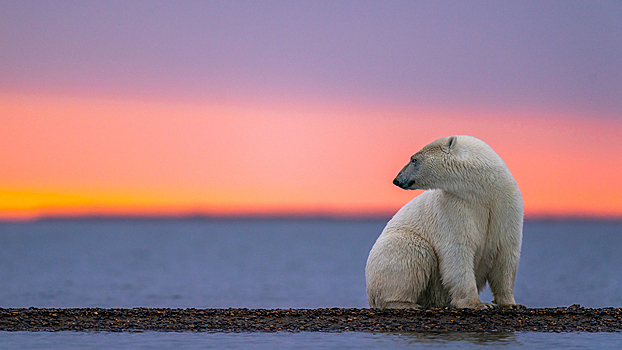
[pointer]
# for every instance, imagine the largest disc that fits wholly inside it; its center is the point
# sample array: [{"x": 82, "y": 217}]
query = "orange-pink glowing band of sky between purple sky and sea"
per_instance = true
[{"x": 80, "y": 156}]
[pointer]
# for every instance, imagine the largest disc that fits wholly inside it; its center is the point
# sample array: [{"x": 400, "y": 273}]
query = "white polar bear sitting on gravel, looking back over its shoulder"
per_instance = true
[{"x": 441, "y": 248}]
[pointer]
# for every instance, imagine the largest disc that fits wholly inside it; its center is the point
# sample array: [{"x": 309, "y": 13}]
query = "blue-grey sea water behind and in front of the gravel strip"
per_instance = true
[{"x": 274, "y": 263}]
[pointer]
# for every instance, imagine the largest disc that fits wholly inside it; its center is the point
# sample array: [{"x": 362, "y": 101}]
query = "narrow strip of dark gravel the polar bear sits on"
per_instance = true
[{"x": 562, "y": 319}]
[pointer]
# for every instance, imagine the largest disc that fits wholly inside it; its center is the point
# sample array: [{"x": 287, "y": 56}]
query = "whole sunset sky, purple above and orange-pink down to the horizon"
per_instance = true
[{"x": 301, "y": 107}]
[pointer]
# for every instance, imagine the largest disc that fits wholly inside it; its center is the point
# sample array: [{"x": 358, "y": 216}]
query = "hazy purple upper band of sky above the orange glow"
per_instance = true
[{"x": 563, "y": 56}]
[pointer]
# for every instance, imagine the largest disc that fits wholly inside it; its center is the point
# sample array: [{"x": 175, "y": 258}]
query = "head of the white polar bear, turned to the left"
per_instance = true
[{"x": 455, "y": 163}]
